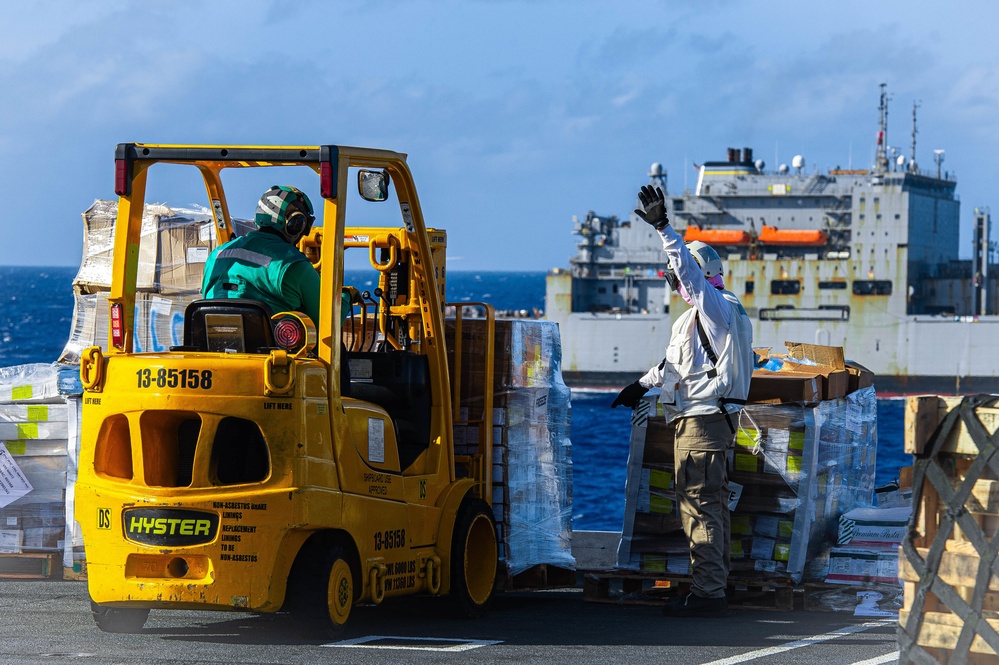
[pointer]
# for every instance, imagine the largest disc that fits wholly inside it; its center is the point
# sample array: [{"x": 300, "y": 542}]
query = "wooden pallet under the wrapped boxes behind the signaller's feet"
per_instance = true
[{"x": 631, "y": 588}]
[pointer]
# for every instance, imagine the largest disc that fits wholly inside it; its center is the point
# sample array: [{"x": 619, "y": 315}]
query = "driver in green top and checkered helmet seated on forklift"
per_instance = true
[{"x": 265, "y": 264}]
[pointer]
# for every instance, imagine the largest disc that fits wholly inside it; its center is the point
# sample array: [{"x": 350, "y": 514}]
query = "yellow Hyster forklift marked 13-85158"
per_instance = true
[{"x": 272, "y": 461}]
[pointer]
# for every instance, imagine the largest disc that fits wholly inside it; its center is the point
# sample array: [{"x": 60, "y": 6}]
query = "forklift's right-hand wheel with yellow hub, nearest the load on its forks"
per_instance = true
[{"x": 474, "y": 559}]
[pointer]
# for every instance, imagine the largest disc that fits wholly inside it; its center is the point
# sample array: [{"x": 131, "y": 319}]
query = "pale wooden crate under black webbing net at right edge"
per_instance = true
[{"x": 947, "y": 563}]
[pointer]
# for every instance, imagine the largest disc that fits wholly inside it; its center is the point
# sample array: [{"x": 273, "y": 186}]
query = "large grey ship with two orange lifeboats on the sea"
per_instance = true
[{"x": 866, "y": 259}]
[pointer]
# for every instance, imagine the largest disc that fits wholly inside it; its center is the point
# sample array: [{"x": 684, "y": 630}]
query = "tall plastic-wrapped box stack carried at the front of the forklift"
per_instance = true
[{"x": 532, "y": 453}]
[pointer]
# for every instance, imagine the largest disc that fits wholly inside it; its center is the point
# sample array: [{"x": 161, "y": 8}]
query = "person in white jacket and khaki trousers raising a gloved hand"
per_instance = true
[{"x": 704, "y": 380}]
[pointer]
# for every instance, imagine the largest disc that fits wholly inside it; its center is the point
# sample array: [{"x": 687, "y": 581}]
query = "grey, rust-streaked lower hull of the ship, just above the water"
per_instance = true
[{"x": 909, "y": 355}]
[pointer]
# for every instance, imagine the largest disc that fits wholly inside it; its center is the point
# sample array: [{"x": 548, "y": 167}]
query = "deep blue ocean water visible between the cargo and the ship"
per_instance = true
[{"x": 36, "y": 312}]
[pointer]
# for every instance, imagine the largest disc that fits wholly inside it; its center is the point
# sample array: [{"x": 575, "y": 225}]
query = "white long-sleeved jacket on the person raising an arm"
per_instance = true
[{"x": 690, "y": 383}]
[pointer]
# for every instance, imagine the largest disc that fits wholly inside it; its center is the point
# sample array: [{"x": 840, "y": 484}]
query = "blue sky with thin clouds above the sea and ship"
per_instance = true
[{"x": 515, "y": 115}]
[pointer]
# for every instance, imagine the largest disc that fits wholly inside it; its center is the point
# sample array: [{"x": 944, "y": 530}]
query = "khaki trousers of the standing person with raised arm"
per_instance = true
[{"x": 701, "y": 451}]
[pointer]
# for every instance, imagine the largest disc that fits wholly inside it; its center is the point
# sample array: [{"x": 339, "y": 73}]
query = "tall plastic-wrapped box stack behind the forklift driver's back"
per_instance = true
[{"x": 174, "y": 246}]
